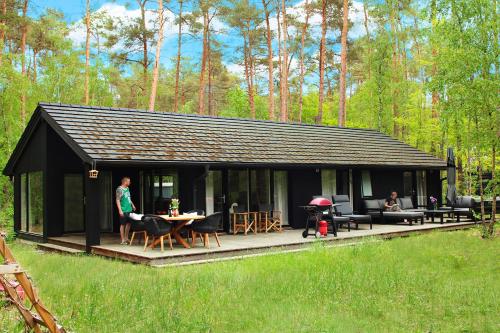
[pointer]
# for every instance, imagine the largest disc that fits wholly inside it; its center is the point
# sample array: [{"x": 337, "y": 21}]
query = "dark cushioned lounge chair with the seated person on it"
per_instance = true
[{"x": 375, "y": 208}]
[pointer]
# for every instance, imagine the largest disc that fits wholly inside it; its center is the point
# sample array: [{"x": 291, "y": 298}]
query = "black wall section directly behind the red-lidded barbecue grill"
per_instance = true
[{"x": 302, "y": 185}]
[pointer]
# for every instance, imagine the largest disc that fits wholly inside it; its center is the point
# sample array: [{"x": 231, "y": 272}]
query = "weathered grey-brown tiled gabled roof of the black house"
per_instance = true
[{"x": 113, "y": 135}]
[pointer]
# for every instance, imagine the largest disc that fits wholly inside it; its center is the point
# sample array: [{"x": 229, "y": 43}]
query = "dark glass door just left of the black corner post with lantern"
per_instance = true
[{"x": 73, "y": 203}]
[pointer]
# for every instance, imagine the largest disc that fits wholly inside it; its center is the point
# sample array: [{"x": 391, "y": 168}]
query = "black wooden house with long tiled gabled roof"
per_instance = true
[{"x": 207, "y": 162}]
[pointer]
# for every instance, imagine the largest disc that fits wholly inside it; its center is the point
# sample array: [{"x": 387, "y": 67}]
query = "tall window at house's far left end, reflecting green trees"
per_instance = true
[{"x": 32, "y": 202}]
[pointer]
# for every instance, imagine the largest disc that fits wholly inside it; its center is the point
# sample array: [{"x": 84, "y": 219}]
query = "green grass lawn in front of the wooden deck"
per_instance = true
[{"x": 439, "y": 282}]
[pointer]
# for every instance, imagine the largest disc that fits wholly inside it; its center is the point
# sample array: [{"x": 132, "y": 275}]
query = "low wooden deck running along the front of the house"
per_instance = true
[{"x": 240, "y": 246}]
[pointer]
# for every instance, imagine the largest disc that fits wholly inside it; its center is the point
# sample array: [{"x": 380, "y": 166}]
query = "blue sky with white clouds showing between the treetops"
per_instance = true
[{"x": 74, "y": 10}]
